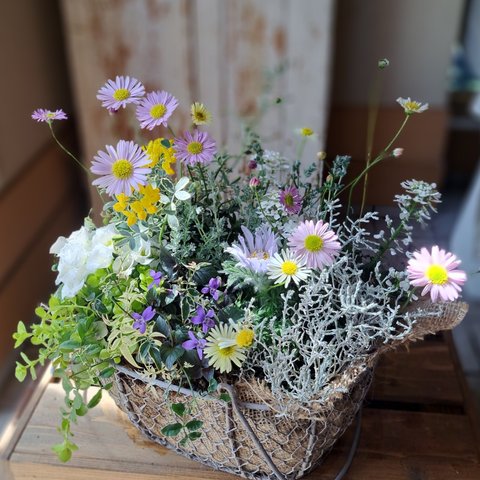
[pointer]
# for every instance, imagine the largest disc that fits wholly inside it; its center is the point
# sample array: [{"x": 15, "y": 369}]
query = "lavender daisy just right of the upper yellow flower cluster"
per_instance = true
[{"x": 197, "y": 148}]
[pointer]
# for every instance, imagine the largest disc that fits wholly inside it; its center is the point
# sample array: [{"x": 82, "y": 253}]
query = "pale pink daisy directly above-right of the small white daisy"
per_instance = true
[{"x": 316, "y": 243}]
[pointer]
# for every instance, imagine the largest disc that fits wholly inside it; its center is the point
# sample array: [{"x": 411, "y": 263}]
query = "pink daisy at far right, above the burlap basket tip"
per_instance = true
[{"x": 437, "y": 272}]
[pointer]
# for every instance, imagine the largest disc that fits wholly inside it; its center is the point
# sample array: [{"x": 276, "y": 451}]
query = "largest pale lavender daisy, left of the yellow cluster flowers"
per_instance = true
[{"x": 122, "y": 168}]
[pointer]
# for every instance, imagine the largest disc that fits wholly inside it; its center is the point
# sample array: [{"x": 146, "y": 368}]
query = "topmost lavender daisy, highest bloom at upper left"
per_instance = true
[{"x": 116, "y": 94}]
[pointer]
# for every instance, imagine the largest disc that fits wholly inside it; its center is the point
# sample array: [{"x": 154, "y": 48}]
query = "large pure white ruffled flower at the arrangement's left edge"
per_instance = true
[{"x": 82, "y": 253}]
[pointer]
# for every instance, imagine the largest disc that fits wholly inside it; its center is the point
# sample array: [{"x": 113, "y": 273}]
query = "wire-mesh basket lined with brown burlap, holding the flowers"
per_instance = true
[{"x": 251, "y": 435}]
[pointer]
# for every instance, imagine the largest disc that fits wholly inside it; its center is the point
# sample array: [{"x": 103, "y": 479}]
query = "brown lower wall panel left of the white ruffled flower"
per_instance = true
[{"x": 43, "y": 202}]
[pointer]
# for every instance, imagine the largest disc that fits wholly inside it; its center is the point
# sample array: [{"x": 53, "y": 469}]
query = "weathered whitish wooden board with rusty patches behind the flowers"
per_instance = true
[{"x": 214, "y": 51}]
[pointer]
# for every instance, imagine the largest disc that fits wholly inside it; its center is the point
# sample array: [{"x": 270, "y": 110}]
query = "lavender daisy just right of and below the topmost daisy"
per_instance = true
[{"x": 155, "y": 109}]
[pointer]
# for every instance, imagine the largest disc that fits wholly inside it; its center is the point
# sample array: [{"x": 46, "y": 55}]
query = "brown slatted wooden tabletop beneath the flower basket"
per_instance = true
[{"x": 418, "y": 424}]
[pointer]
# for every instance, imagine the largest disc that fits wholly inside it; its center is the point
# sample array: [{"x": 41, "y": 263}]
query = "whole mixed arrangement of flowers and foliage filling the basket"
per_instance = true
[{"x": 205, "y": 274}]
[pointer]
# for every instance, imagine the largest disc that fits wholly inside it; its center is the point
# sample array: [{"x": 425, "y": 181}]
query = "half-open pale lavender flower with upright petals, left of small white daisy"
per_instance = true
[{"x": 254, "y": 252}]
